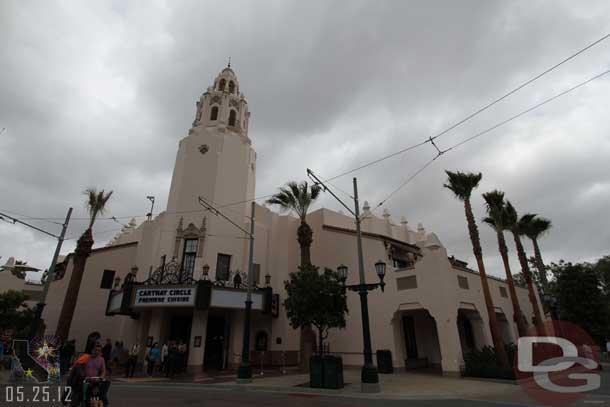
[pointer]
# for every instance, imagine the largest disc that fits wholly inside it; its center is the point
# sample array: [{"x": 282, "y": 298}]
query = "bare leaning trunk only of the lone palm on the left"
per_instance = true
[{"x": 82, "y": 252}]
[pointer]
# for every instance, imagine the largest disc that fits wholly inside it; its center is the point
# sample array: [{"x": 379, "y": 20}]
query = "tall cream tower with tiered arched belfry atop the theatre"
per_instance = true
[{"x": 217, "y": 162}]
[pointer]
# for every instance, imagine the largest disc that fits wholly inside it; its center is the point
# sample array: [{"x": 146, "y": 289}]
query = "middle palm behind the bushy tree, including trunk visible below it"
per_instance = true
[{"x": 298, "y": 198}]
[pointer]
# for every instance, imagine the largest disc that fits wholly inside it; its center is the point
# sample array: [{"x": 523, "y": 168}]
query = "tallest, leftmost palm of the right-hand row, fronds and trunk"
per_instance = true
[{"x": 462, "y": 184}]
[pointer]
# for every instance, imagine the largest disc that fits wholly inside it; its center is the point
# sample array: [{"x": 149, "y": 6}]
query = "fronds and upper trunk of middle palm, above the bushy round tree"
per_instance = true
[{"x": 298, "y": 198}]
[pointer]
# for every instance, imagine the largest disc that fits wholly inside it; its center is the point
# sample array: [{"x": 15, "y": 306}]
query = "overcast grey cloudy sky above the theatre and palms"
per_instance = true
[{"x": 100, "y": 93}]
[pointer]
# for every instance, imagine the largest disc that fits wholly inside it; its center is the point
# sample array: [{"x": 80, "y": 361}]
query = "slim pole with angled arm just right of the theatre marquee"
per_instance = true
[{"x": 244, "y": 372}]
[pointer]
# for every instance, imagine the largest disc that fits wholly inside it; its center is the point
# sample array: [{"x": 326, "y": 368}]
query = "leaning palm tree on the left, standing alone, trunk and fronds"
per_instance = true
[{"x": 96, "y": 204}]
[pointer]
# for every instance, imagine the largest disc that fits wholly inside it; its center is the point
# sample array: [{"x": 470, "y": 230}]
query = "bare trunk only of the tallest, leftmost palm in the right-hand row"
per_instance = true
[{"x": 478, "y": 253}]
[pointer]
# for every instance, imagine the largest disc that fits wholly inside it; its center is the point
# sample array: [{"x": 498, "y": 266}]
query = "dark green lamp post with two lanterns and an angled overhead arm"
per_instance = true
[{"x": 369, "y": 375}]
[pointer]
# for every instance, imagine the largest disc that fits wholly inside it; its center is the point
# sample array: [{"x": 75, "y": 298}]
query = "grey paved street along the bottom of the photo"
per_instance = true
[{"x": 399, "y": 390}]
